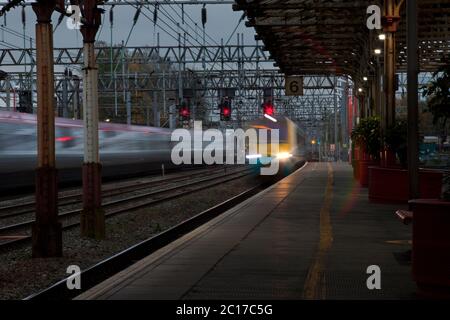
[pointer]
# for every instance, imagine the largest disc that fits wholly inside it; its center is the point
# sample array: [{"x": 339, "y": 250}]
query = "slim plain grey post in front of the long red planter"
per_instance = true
[{"x": 413, "y": 71}]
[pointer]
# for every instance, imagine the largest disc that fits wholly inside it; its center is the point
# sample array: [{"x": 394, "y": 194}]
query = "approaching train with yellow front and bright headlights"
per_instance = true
[{"x": 291, "y": 149}]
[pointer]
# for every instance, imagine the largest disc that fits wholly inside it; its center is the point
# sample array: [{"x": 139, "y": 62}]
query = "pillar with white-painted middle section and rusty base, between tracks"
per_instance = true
[{"x": 92, "y": 216}]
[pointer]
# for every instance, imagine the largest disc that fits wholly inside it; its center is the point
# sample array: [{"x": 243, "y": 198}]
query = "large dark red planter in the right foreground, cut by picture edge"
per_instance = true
[{"x": 431, "y": 247}]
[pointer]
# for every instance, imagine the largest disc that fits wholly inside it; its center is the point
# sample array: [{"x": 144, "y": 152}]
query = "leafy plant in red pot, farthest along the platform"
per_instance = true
[{"x": 366, "y": 136}]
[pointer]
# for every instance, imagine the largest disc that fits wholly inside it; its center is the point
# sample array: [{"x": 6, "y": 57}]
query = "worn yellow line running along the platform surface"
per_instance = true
[{"x": 314, "y": 287}]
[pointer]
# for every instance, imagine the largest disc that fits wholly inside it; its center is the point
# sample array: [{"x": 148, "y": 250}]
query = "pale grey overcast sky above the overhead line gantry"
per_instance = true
[{"x": 221, "y": 23}]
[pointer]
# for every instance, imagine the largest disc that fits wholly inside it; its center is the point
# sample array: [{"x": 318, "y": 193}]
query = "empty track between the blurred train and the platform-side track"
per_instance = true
[{"x": 18, "y": 233}]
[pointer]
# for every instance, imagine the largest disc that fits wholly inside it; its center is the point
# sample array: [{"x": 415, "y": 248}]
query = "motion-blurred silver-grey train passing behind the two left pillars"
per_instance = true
[{"x": 124, "y": 149}]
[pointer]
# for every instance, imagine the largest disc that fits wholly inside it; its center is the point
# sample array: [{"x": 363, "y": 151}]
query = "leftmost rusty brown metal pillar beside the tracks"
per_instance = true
[{"x": 46, "y": 230}]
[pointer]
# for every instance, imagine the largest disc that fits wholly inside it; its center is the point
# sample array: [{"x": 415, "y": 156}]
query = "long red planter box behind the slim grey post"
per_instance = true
[{"x": 391, "y": 185}]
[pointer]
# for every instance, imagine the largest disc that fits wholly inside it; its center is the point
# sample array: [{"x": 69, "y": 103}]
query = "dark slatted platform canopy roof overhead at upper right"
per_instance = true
[{"x": 331, "y": 36}]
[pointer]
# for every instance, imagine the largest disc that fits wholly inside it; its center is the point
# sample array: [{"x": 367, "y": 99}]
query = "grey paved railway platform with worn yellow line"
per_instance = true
[{"x": 313, "y": 235}]
